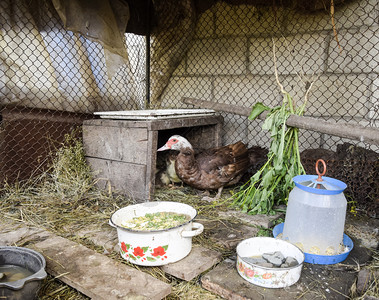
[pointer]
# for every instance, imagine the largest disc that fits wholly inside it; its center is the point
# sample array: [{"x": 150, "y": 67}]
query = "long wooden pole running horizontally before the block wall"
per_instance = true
[{"x": 356, "y": 132}]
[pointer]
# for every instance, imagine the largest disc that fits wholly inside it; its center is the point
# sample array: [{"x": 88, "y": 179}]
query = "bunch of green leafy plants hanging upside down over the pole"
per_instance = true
[{"x": 272, "y": 183}]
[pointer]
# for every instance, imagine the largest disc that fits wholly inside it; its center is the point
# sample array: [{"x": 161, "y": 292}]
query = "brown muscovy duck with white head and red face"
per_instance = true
[{"x": 211, "y": 169}]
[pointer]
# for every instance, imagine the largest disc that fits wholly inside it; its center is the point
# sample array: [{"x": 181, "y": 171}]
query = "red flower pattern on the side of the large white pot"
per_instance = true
[{"x": 143, "y": 254}]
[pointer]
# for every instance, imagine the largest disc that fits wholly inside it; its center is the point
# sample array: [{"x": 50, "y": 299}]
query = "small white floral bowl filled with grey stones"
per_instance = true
[{"x": 269, "y": 262}]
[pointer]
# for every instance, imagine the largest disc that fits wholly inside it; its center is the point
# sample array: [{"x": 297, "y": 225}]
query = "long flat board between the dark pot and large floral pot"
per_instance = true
[{"x": 96, "y": 275}]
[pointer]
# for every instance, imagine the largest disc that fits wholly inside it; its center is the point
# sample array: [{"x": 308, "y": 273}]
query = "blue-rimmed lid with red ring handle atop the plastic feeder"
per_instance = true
[{"x": 318, "y": 184}]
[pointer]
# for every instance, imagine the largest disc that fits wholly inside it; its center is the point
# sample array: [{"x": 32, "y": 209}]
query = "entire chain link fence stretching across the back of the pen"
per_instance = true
[{"x": 52, "y": 79}]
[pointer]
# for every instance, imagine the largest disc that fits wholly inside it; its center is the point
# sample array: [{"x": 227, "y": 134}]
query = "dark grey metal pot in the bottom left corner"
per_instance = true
[{"x": 26, "y": 288}]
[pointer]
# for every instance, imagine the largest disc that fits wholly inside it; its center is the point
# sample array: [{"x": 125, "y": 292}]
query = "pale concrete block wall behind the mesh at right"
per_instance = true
[{"x": 231, "y": 61}]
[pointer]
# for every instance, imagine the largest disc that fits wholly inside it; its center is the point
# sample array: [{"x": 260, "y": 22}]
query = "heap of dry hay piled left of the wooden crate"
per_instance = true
[{"x": 65, "y": 195}]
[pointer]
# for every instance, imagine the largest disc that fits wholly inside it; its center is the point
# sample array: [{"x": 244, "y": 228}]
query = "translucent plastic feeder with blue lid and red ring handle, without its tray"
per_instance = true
[{"x": 316, "y": 213}]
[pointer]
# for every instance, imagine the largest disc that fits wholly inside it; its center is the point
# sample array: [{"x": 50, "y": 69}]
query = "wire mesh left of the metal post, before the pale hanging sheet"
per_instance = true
[{"x": 51, "y": 80}]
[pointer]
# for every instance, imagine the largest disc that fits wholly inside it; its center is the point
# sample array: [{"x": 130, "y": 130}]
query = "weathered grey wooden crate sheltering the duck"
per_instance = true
[{"x": 123, "y": 153}]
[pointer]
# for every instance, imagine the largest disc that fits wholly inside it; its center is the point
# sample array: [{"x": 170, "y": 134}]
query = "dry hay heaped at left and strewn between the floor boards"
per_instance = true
[{"x": 65, "y": 199}]
